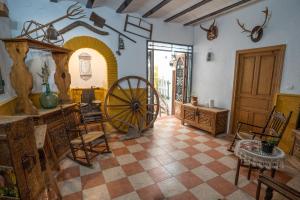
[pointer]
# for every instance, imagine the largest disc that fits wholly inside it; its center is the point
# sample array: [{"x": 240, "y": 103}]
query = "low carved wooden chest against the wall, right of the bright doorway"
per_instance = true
[{"x": 213, "y": 120}]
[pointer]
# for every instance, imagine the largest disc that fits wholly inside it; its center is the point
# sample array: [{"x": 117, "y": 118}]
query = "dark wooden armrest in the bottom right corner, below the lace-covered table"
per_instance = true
[{"x": 281, "y": 188}]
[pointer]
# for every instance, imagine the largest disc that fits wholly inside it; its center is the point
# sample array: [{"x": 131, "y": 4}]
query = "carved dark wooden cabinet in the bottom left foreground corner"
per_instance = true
[{"x": 19, "y": 159}]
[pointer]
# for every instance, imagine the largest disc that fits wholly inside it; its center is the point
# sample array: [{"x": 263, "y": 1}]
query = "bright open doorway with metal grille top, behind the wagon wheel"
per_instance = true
[{"x": 169, "y": 68}]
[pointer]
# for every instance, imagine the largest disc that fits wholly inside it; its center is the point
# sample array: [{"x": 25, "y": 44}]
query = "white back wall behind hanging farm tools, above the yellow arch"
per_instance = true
[{"x": 132, "y": 60}]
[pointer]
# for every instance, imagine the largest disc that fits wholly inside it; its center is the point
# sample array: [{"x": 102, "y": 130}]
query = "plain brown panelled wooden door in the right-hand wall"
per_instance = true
[{"x": 257, "y": 80}]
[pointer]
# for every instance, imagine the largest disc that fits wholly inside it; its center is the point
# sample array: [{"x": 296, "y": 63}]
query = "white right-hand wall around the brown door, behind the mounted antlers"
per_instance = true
[{"x": 215, "y": 79}]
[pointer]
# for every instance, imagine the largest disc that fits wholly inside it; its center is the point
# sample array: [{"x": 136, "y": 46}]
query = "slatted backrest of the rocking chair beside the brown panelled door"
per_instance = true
[{"x": 277, "y": 124}]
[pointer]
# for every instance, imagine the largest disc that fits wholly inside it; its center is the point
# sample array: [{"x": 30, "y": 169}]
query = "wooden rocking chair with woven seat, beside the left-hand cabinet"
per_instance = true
[{"x": 83, "y": 143}]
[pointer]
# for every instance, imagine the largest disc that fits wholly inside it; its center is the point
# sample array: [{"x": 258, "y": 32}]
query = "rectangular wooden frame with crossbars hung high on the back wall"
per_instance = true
[{"x": 138, "y": 26}]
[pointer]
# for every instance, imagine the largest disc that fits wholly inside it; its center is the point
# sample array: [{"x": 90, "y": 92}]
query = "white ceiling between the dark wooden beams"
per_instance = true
[{"x": 170, "y": 9}]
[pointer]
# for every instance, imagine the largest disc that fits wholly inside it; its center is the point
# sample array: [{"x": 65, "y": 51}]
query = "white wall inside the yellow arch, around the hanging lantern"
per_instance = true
[{"x": 98, "y": 66}]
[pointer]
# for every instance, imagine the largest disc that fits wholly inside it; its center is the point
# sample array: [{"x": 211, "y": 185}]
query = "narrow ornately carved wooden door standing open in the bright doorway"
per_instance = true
[{"x": 180, "y": 84}]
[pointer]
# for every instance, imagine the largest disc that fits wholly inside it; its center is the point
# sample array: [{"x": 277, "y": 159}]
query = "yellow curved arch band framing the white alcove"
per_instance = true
[{"x": 93, "y": 43}]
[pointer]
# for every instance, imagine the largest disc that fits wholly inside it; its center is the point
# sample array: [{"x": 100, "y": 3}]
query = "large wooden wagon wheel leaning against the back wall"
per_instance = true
[{"x": 128, "y": 104}]
